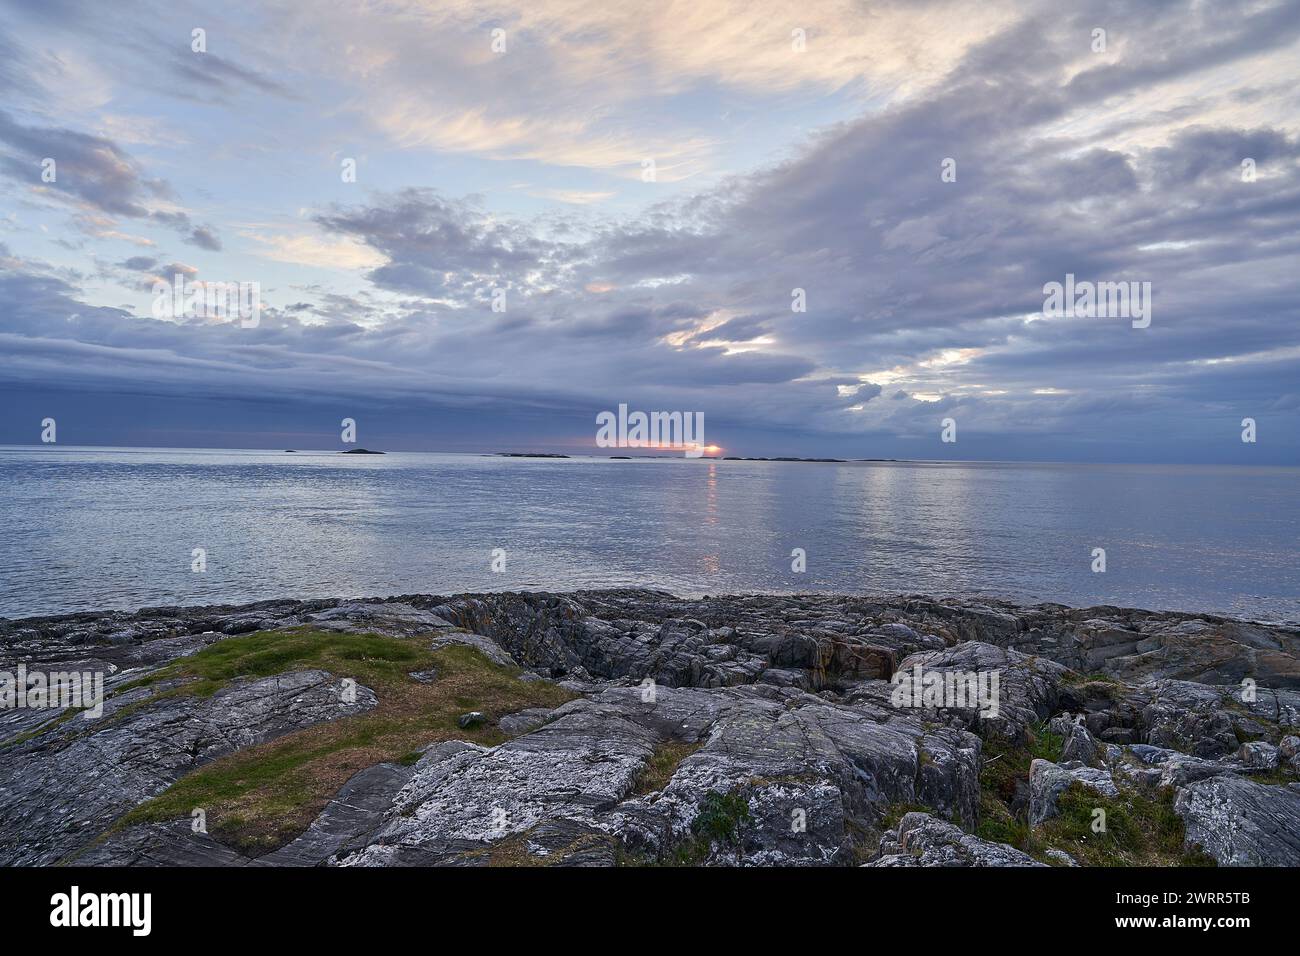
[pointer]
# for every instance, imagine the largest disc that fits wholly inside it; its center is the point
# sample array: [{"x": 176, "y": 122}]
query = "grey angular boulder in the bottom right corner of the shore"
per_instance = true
[{"x": 1241, "y": 823}]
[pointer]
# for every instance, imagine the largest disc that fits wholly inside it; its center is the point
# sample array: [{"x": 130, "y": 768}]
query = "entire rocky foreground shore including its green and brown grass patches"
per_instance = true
[{"x": 632, "y": 728}]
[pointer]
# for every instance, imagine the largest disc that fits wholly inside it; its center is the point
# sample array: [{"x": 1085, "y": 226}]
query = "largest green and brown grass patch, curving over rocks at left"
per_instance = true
[{"x": 261, "y": 798}]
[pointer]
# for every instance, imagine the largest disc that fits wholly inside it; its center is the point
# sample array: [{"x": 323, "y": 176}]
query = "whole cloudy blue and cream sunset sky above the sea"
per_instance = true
[{"x": 565, "y": 207}]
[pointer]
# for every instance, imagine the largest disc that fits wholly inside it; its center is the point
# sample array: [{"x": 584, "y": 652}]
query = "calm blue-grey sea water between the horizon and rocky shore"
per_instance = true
[{"x": 96, "y": 529}]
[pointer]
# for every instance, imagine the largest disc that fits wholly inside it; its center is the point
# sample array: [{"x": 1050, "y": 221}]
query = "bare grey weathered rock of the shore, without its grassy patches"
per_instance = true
[{"x": 778, "y": 710}]
